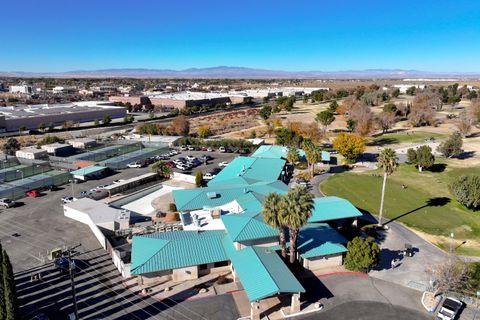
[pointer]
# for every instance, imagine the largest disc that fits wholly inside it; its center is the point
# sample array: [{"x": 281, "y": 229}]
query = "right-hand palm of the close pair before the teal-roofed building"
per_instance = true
[{"x": 298, "y": 203}]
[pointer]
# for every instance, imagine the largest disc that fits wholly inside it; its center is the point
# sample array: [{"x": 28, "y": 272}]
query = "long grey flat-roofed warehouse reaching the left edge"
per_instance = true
[{"x": 13, "y": 118}]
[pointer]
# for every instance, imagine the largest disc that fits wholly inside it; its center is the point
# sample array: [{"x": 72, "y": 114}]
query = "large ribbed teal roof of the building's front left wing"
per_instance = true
[{"x": 178, "y": 249}]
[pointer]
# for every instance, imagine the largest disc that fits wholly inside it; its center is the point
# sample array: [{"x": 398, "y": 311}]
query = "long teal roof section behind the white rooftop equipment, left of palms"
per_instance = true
[{"x": 192, "y": 199}]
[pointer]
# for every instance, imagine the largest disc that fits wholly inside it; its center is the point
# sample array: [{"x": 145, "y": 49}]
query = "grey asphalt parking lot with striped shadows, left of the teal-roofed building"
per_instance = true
[{"x": 37, "y": 225}]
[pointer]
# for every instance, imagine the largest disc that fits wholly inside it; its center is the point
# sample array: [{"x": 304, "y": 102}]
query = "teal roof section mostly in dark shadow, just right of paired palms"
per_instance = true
[{"x": 319, "y": 239}]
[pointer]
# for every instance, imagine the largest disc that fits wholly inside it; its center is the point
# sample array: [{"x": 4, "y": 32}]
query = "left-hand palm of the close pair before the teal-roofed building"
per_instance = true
[{"x": 273, "y": 214}]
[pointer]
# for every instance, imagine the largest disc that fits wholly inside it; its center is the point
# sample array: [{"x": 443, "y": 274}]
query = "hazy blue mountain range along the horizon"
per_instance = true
[{"x": 242, "y": 72}]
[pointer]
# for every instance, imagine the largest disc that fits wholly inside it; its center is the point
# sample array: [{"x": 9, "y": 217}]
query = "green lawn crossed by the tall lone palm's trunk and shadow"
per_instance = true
[{"x": 425, "y": 204}]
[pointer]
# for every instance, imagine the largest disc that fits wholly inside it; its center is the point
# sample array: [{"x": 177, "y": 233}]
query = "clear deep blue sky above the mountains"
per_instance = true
[{"x": 64, "y": 35}]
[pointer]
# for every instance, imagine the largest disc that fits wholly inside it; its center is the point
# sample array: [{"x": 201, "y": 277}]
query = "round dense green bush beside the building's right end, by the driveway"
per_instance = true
[{"x": 363, "y": 254}]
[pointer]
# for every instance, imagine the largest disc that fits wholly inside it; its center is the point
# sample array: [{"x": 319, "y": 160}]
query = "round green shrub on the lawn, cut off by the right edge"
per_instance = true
[{"x": 466, "y": 189}]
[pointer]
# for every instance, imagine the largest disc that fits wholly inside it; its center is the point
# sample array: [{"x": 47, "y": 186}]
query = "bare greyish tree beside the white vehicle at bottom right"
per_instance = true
[{"x": 449, "y": 275}]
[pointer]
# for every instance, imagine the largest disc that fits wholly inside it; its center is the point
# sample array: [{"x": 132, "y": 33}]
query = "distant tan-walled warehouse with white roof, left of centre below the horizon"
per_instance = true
[{"x": 188, "y": 99}]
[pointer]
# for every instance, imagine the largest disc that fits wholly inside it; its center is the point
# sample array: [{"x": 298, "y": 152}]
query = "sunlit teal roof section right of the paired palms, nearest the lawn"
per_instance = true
[{"x": 333, "y": 208}]
